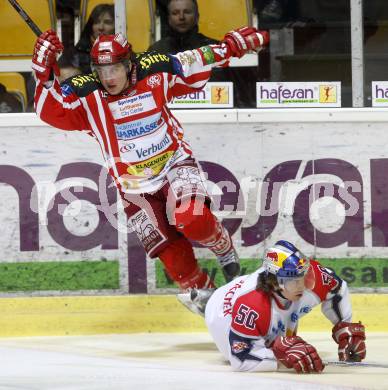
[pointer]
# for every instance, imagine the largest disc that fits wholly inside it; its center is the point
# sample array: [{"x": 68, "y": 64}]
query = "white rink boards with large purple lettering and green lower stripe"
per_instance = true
[{"x": 316, "y": 177}]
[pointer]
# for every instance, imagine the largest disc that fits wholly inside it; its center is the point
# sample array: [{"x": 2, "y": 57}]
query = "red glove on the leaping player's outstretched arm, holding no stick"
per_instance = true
[{"x": 244, "y": 39}]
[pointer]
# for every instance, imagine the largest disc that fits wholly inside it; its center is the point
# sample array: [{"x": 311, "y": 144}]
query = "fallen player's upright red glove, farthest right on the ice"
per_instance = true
[{"x": 350, "y": 339}]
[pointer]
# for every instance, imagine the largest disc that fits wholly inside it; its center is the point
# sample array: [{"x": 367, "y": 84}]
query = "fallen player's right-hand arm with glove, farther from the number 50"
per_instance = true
[{"x": 336, "y": 306}]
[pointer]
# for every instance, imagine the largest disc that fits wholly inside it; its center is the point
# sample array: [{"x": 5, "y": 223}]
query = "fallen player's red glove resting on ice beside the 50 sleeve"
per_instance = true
[{"x": 295, "y": 353}]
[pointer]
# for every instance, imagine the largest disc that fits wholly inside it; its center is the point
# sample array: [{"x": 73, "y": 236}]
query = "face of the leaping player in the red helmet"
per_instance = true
[{"x": 114, "y": 78}]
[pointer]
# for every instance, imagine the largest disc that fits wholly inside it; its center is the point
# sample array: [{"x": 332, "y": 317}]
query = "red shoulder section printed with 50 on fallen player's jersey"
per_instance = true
[{"x": 251, "y": 314}]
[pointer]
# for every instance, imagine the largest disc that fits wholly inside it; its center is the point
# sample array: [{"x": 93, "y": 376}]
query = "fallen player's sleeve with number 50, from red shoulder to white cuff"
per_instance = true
[{"x": 250, "y": 321}]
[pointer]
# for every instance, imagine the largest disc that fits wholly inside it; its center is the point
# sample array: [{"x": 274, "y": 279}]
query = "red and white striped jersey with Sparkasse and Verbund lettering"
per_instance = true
[{"x": 139, "y": 137}]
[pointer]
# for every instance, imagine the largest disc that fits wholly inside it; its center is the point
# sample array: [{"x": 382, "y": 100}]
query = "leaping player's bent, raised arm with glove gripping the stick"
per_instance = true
[{"x": 55, "y": 106}]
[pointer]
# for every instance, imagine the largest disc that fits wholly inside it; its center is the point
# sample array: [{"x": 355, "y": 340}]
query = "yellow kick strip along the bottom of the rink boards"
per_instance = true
[{"x": 39, "y": 316}]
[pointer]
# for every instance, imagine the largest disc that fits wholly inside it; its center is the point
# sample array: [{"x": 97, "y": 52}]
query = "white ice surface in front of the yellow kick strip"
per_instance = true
[{"x": 166, "y": 361}]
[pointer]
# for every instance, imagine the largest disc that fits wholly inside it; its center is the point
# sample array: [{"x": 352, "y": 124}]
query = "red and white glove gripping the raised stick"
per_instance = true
[{"x": 45, "y": 55}]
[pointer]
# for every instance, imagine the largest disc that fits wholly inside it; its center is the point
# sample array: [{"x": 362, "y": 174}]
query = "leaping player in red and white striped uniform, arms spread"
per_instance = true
[{"x": 123, "y": 105}]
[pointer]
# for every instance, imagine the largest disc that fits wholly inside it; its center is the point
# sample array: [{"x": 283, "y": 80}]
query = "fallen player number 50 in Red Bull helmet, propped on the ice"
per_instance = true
[{"x": 253, "y": 319}]
